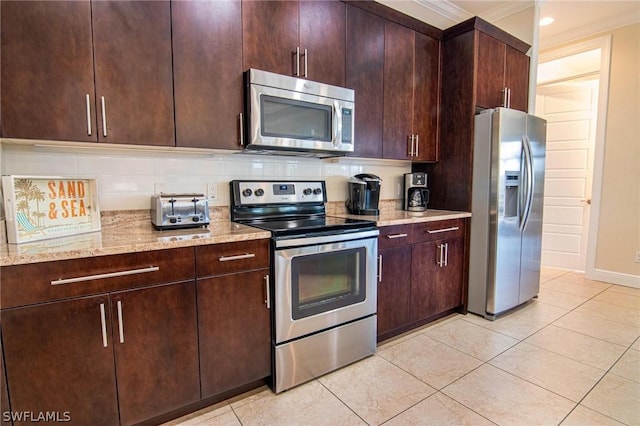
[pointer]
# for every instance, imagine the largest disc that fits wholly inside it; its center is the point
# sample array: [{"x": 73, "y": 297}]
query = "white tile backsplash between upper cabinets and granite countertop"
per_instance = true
[{"x": 128, "y": 177}]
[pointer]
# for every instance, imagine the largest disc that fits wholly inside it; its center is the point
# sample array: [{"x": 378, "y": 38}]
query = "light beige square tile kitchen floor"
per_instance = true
[{"x": 571, "y": 357}]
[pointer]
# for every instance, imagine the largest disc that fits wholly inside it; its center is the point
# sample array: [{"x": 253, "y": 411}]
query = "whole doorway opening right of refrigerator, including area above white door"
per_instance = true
[{"x": 571, "y": 96}]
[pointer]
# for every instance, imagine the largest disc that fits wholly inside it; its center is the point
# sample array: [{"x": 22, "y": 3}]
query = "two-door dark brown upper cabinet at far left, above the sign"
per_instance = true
[{"x": 61, "y": 59}]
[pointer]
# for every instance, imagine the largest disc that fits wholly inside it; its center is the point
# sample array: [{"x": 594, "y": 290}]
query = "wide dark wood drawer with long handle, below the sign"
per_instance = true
[{"x": 48, "y": 281}]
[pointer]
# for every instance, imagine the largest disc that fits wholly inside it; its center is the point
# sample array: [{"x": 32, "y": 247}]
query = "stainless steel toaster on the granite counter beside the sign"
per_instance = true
[{"x": 174, "y": 211}]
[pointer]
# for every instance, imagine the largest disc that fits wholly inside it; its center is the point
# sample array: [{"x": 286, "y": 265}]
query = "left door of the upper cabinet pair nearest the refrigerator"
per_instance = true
[{"x": 399, "y": 45}]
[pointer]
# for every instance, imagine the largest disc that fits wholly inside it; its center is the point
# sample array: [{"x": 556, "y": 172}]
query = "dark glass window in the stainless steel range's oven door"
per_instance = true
[{"x": 326, "y": 281}]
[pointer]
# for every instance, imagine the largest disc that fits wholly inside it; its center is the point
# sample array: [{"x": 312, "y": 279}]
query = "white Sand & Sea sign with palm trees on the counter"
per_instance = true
[{"x": 38, "y": 208}]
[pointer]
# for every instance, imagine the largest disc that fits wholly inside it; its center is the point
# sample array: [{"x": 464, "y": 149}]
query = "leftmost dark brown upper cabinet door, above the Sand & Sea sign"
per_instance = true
[{"x": 47, "y": 71}]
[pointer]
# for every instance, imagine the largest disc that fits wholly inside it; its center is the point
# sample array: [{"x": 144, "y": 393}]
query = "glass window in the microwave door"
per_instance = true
[{"x": 287, "y": 118}]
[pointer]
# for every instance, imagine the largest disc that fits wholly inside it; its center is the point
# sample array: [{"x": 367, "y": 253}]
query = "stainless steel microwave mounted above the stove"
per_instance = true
[{"x": 293, "y": 116}]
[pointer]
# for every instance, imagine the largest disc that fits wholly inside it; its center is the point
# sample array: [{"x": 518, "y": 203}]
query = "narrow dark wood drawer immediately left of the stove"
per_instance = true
[{"x": 218, "y": 259}]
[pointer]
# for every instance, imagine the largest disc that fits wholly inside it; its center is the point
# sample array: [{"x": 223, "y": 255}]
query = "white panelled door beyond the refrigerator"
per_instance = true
[{"x": 570, "y": 109}]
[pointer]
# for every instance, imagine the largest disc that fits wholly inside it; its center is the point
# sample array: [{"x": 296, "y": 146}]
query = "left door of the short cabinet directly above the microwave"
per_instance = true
[{"x": 270, "y": 35}]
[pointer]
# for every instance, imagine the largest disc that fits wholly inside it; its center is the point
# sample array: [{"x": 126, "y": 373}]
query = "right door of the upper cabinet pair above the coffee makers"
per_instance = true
[{"x": 426, "y": 97}]
